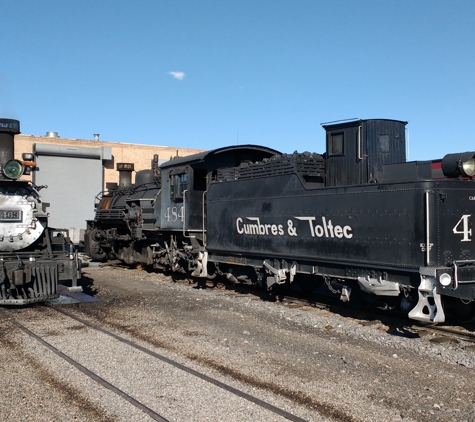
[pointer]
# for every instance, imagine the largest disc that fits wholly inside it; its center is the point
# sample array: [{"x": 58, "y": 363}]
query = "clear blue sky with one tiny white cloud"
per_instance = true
[{"x": 206, "y": 74}]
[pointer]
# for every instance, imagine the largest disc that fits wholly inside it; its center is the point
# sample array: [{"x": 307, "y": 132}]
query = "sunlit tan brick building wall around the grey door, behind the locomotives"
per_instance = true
[{"x": 139, "y": 155}]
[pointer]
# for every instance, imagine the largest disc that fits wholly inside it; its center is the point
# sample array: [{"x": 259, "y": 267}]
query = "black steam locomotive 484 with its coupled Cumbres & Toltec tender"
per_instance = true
[{"x": 358, "y": 221}]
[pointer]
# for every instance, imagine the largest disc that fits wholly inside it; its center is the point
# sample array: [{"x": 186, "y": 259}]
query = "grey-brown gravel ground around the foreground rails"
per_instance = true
[{"x": 312, "y": 363}]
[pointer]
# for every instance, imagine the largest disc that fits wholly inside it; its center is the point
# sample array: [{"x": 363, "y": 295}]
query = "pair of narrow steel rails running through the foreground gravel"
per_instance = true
[{"x": 147, "y": 410}]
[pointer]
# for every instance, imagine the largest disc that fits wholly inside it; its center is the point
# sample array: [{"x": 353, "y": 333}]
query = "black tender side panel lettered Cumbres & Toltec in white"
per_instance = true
[{"x": 373, "y": 224}]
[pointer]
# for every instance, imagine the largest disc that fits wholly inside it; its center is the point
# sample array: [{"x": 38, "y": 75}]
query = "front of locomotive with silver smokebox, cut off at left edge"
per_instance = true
[{"x": 34, "y": 258}]
